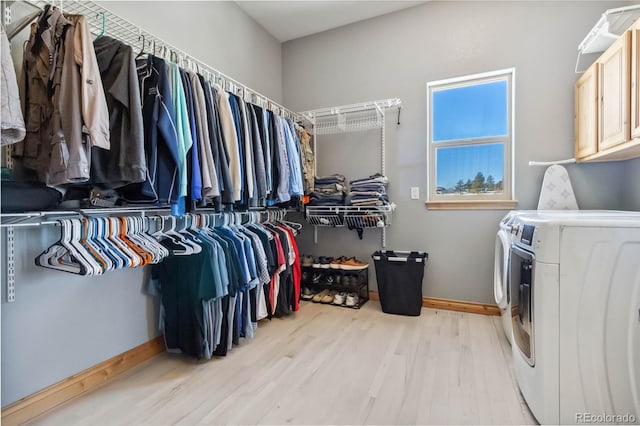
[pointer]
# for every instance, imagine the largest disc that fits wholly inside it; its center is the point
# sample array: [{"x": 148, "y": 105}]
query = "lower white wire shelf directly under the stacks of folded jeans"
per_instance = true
[{"x": 351, "y": 216}]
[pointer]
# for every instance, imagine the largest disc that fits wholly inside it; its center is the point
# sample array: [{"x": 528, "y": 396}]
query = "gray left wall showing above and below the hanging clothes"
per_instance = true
[{"x": 60, "y": 323}]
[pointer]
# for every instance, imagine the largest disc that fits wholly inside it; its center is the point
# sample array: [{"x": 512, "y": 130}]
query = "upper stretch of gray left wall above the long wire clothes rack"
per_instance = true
[{"x": 218, "y": 33}]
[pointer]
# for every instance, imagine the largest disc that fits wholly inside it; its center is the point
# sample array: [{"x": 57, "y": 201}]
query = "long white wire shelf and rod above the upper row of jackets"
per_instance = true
[{"x": 131, "y": 34}]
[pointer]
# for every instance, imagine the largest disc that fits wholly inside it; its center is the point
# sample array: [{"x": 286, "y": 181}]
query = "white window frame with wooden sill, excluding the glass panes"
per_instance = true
[{"x": 480, "y": 200}]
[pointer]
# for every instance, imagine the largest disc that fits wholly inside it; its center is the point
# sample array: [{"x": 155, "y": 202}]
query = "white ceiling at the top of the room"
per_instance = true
[{"x": 287, "y": 20}]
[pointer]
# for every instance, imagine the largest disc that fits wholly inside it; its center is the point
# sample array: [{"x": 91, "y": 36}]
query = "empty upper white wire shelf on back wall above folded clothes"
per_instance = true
[{"x": 350, "y": 118}]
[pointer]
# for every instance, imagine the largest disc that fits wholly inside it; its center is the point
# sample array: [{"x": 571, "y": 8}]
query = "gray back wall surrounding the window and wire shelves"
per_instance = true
[{"x": 395, "y": 56}]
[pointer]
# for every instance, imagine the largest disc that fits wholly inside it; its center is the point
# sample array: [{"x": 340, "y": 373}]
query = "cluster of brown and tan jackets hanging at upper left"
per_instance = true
[{"x": 65, "y": 107}]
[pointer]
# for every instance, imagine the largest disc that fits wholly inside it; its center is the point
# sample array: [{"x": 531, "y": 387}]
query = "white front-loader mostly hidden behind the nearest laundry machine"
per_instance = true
[{"x": 504, "y": 238}]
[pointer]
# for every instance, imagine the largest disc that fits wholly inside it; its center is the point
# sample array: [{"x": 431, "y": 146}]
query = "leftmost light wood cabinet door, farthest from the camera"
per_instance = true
[{"x": 586, "y": 114}]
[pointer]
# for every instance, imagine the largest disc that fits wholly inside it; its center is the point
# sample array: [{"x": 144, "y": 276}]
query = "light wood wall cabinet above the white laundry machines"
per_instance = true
[{"x": 607, "y": 117}]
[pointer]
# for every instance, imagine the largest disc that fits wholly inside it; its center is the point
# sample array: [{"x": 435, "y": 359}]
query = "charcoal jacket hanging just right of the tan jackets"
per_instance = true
[{"x": 125, "y": 162}]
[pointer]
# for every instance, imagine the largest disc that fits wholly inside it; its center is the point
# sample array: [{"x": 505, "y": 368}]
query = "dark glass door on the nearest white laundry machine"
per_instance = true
[{"x": 521, "y": 274}]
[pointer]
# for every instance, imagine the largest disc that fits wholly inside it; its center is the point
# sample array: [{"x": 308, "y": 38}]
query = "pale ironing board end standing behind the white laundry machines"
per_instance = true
[{"x": 557, "y": 192}]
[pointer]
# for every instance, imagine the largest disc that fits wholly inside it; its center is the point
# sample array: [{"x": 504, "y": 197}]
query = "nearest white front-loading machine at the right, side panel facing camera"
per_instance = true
[{"x": 574, "y": 282}]
